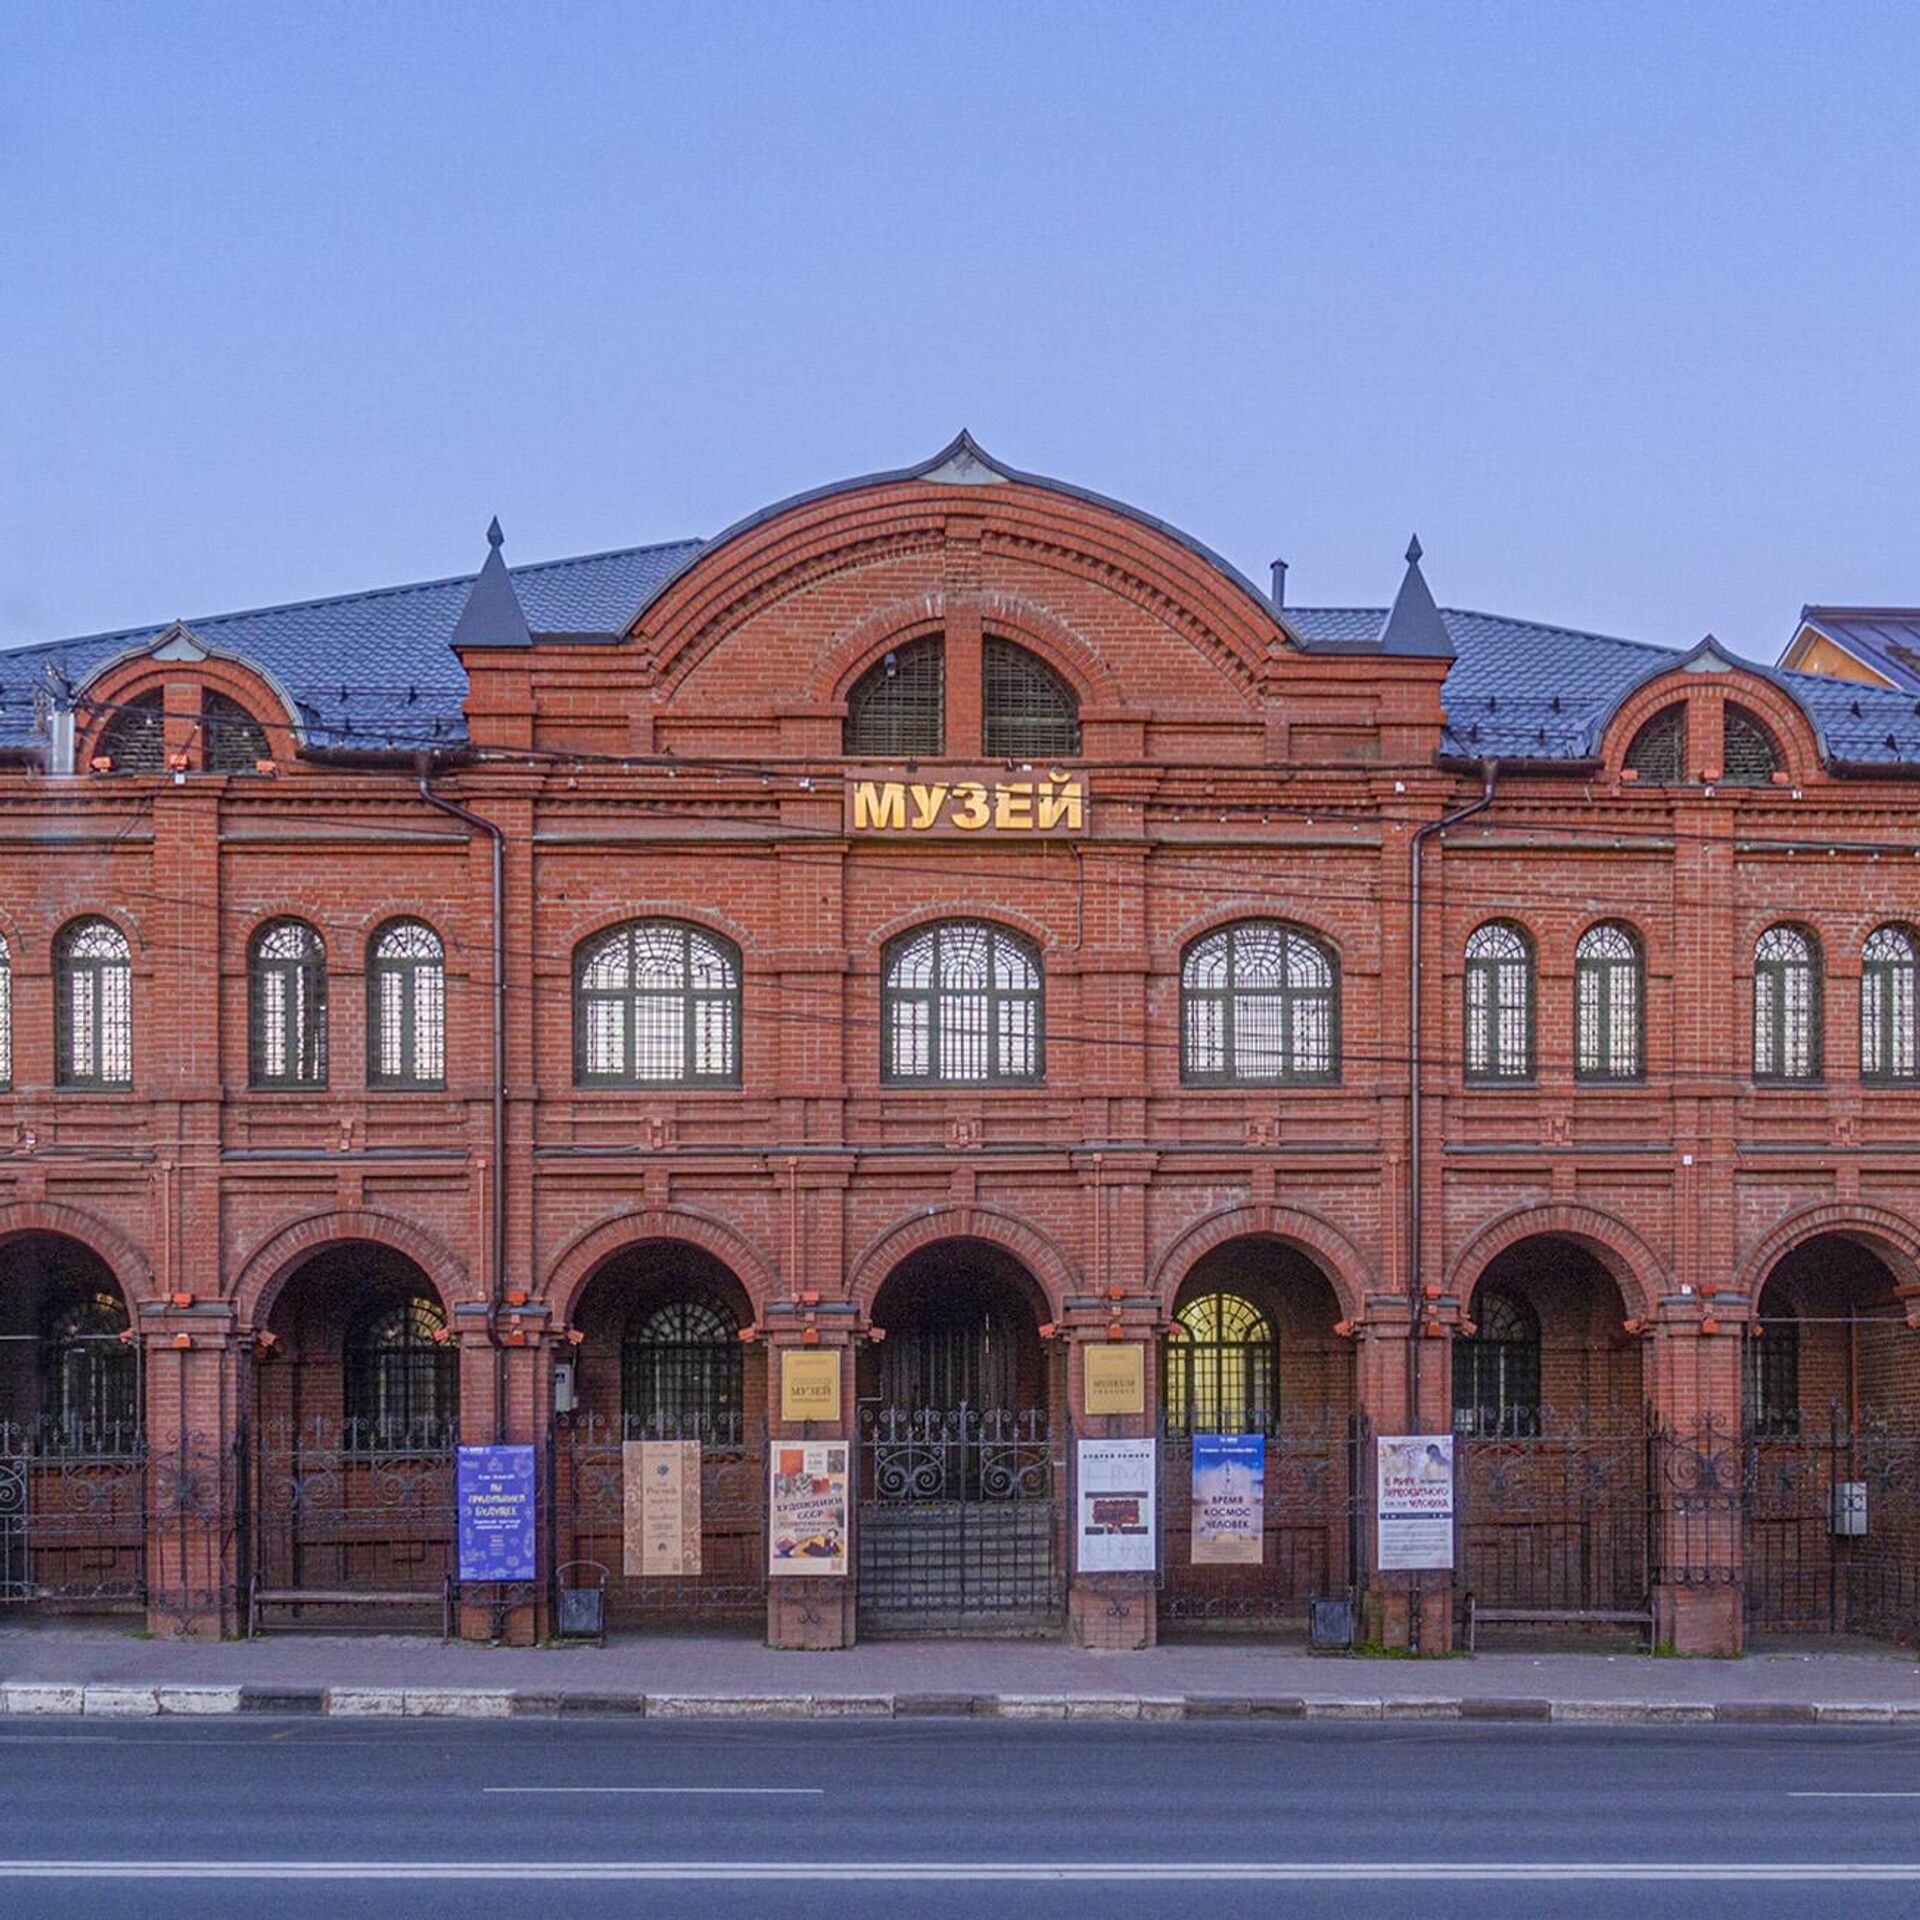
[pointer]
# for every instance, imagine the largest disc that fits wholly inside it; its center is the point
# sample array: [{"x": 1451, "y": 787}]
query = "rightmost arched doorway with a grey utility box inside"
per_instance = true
[{"x": 1831, "y": 1426}]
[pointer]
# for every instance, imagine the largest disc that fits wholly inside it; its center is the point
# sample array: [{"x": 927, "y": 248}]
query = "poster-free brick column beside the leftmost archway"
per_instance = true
[{"x": 195, "y": 1575}]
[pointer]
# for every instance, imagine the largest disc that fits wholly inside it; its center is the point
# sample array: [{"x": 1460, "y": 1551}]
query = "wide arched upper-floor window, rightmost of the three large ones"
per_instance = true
[{"x": 1260, "y": 1005}]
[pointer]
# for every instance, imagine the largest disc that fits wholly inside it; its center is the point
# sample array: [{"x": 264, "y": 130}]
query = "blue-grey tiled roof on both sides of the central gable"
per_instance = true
[{"x": 377, "y": 669}]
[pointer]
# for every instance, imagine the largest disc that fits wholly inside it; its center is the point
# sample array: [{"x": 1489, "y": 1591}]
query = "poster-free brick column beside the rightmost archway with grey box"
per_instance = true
[{"x": 1694, "y": 1468}]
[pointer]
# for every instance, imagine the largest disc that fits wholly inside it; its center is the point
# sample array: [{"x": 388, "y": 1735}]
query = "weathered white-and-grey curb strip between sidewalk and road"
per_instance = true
[{"x": 36, "y": 1698}]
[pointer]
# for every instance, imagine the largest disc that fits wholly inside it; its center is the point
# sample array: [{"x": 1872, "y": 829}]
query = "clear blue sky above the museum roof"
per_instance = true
[{"x": 1614, "y": 304}]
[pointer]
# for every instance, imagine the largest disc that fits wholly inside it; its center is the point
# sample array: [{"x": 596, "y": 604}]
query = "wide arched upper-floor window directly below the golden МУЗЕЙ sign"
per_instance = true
[{"x": 961, "y": 1005}]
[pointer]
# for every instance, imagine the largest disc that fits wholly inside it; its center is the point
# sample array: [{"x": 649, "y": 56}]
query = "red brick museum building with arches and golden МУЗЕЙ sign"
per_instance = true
[{"x": 955, "y": 924}]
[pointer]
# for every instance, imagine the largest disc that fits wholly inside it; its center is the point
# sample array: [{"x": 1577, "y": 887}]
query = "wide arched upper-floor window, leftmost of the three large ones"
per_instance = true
[{"x": 658, "y": 1005}]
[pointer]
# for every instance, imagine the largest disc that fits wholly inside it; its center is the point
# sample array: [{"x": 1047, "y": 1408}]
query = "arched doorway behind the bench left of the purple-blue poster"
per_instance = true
[{"x": 356, "y": 1422}]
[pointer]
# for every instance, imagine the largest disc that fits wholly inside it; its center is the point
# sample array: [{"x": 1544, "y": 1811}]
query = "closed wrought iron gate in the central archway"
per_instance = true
[{"x": 959, "y": 1529}]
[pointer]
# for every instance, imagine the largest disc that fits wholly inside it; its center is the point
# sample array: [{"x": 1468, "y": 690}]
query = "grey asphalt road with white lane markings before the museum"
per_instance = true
[{"x": 531, "y": 1819}]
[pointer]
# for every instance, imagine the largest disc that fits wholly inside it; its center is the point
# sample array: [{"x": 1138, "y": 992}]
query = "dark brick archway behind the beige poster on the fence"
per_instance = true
[{"x": 661, "y": 1360}]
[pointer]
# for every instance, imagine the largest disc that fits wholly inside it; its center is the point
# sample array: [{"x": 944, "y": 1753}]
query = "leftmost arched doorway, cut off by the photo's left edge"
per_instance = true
[{"x": 72, "y": 1431}]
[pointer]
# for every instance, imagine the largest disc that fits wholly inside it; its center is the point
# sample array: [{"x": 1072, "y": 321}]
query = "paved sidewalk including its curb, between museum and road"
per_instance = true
[{"x": 74, "y": 1669}]
